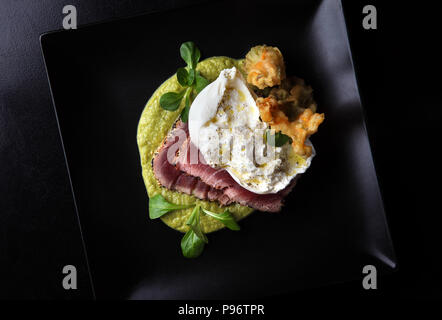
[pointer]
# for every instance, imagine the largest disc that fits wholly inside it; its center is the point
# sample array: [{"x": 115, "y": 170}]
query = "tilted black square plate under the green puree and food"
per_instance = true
[{"x": 333, "y": 223}]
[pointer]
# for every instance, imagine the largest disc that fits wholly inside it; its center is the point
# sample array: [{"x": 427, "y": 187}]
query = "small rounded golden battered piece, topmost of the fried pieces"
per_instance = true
[{"x": 264, "y": 66}]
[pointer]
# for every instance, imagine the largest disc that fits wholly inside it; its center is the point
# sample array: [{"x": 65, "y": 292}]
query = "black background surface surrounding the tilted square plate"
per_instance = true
[{"x": 397, "y": 68}]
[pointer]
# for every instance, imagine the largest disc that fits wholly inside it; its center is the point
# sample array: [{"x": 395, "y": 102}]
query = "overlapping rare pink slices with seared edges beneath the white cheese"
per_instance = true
[{"x": 174, "y": 170}]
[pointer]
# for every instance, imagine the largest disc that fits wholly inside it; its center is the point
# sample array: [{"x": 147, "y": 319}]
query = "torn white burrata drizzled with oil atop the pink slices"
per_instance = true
[{"x": 224, "y": 124}]
